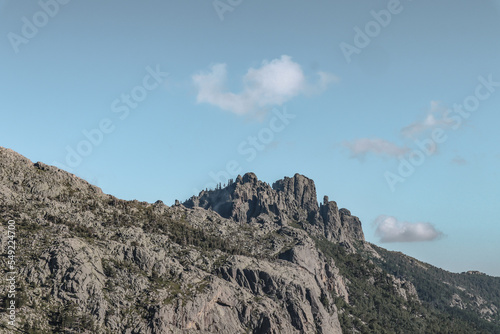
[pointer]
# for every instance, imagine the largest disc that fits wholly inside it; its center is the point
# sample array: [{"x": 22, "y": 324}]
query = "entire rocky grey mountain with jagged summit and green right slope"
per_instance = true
[{"x": 243, "y": 258}]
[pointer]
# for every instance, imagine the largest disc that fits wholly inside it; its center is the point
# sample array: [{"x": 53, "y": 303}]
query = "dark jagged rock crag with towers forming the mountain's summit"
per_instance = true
[{"x": 288, "y": 201}]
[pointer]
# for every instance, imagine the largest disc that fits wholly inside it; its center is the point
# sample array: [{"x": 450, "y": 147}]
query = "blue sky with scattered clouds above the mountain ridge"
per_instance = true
[{"x": 391, "y": 107}]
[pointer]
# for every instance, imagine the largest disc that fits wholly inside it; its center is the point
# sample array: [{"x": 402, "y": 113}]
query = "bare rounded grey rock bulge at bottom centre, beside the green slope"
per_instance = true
[{"x": 279, "y": 284}]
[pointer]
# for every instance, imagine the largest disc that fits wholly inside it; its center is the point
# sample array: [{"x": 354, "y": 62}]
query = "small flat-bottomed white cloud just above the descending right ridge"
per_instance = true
[{"x": 389, "y": 229}]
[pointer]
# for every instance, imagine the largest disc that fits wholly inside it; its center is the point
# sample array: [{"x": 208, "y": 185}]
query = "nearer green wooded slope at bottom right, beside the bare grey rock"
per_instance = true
[{"x": 375, "y": 307}]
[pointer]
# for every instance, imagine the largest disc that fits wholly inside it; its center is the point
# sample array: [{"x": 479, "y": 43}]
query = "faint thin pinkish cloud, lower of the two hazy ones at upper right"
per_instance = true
[{"x": 380, "y": 147}]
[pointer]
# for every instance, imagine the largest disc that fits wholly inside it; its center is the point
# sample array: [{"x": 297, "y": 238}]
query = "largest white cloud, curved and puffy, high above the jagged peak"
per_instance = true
[{"x": 273, "y": 84}]
